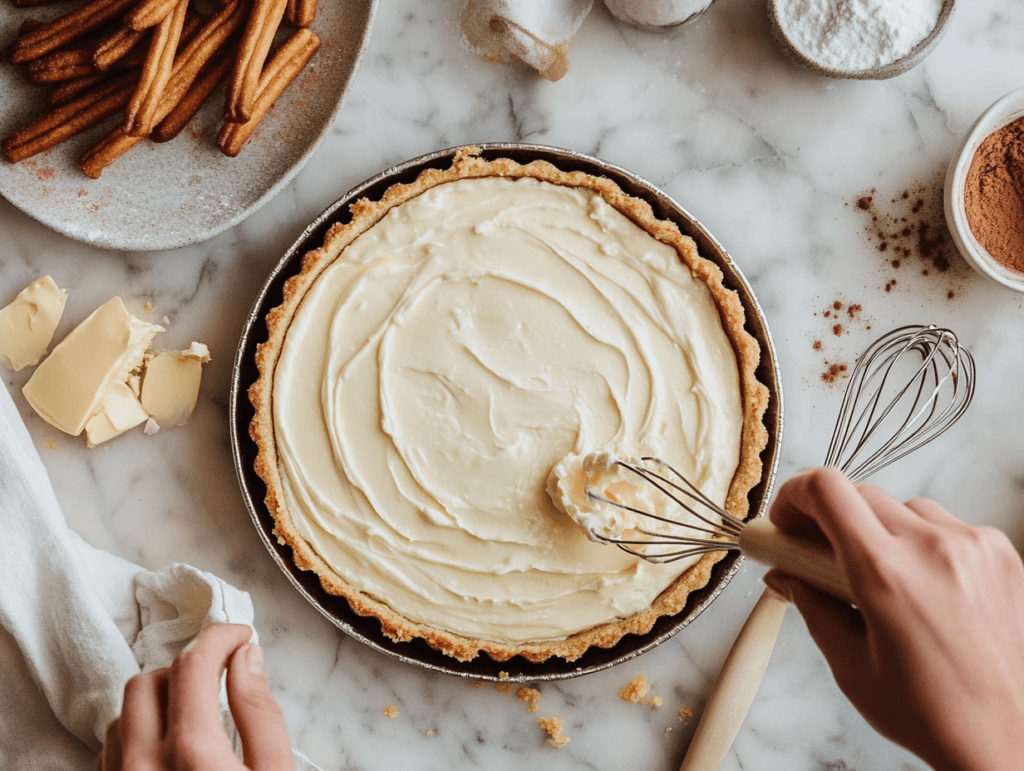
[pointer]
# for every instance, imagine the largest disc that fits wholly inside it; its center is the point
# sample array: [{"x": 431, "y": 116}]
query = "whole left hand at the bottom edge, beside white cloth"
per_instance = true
[{"x": 172, "y": 720}]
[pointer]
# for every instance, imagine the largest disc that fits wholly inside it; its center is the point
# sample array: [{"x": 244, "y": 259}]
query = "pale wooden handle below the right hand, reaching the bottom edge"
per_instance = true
[{"x": 737, "y": 686}]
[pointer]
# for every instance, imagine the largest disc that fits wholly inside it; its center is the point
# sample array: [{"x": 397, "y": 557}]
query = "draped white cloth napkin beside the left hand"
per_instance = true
[{"x": 76, "y": 623}]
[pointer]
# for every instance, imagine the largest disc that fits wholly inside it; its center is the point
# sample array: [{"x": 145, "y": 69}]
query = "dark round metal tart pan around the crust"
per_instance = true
[{"x": 336, "y": 610}]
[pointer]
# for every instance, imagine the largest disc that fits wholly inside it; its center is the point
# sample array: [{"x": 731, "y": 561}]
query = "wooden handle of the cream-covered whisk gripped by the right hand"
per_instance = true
[{"x": 763, "y": 542}]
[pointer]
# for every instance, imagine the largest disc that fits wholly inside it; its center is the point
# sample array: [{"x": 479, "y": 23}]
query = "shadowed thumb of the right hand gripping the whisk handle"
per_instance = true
[{"x": 836, "y": 628}]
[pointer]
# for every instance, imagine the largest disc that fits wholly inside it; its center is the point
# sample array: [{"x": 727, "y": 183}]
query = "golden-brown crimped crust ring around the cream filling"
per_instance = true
[{"x": 365, "y": 215}]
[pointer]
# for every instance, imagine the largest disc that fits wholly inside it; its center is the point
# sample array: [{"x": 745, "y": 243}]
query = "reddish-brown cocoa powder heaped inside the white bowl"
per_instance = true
[{"x": 994, "y": 196}]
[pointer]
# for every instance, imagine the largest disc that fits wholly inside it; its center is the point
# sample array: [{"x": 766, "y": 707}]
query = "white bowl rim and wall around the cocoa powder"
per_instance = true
[{"x": 1005, "y": 111}]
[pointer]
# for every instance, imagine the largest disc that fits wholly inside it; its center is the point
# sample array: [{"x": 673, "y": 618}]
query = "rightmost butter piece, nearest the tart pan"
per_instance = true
[{"x": 170, "y": 384}]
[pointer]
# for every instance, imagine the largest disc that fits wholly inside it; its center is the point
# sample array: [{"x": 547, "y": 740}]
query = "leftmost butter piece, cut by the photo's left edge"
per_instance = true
[{"x": 27, "y": 325}]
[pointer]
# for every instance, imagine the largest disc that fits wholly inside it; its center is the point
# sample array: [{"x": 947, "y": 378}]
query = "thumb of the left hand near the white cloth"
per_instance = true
[{"x": 261, "y": 724}]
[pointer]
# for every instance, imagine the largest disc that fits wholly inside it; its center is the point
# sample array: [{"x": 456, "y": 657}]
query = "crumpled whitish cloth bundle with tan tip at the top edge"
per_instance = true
[{"x": 535, "y": 32}]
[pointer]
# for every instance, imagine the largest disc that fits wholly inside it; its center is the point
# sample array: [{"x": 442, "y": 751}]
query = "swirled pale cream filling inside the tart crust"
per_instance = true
[{"x": 436, "y": 373}]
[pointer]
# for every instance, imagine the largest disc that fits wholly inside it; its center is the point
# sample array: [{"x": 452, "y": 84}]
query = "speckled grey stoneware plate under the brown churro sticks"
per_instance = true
[{"x": 184, "y": 192}]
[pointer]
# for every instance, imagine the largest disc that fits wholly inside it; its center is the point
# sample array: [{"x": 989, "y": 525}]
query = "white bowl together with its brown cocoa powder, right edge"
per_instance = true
[{"x": 985, "y": 193}]
